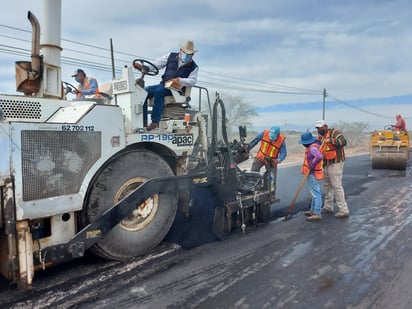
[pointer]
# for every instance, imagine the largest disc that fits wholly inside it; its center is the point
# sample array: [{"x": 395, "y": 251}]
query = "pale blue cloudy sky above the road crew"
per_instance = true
[{"x": 277, "y": 55}]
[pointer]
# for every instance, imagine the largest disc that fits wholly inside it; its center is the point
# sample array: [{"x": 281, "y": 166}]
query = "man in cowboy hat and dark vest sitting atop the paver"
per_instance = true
[{"x": 179, "y": 68}]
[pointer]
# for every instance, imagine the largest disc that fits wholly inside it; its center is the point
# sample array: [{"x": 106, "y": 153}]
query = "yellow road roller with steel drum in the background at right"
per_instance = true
[{"x": 389, "y": 149}]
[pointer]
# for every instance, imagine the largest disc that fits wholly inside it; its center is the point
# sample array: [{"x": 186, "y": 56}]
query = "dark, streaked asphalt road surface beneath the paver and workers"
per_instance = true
[{"x": 358, "y": 262}]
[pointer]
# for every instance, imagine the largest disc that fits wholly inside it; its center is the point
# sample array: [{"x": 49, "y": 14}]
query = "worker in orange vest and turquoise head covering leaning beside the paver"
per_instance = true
[{"x": 272, "y": 151}]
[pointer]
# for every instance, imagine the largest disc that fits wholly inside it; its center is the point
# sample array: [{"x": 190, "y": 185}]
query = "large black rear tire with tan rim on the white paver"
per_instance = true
[{"x": 145, "y": 227}]
